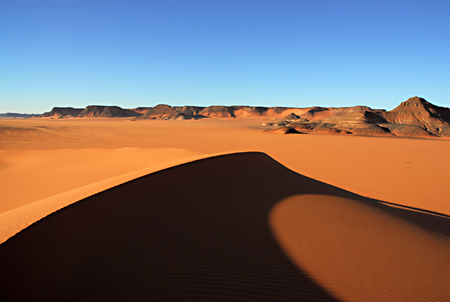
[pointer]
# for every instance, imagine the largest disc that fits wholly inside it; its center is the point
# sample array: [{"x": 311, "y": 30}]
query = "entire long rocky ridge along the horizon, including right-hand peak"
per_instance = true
[{"x": 413, "y": 118}]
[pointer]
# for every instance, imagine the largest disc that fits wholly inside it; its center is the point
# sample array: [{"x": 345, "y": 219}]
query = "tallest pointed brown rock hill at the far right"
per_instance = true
[{"x": 418, "y": 112}]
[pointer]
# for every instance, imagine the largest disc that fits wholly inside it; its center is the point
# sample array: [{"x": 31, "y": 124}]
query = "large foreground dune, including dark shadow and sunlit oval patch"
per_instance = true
[{"x": 237, "y": 227}]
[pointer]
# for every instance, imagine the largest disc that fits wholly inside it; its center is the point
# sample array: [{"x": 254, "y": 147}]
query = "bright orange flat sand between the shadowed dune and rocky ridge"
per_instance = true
[{"x": 411, "y": 172}]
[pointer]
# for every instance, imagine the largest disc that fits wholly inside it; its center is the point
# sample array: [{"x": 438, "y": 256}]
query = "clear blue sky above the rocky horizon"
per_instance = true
[{"x": 222, "y": 52}]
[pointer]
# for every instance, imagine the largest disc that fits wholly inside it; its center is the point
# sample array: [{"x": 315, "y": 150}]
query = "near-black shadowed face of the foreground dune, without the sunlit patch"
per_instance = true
[{"x": 194, "y": 232}]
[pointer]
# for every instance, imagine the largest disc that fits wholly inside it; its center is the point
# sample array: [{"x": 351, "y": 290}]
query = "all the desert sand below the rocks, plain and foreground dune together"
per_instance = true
[{"x": 347, "y": 218}]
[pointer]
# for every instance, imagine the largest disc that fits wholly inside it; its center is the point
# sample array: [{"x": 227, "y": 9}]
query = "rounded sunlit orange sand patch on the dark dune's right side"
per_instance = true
[{"x": 360, "y": 252}]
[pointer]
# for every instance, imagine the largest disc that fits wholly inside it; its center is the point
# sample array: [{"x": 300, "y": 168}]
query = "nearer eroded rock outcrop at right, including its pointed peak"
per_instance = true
[{"x": 414, "y": 118}]
